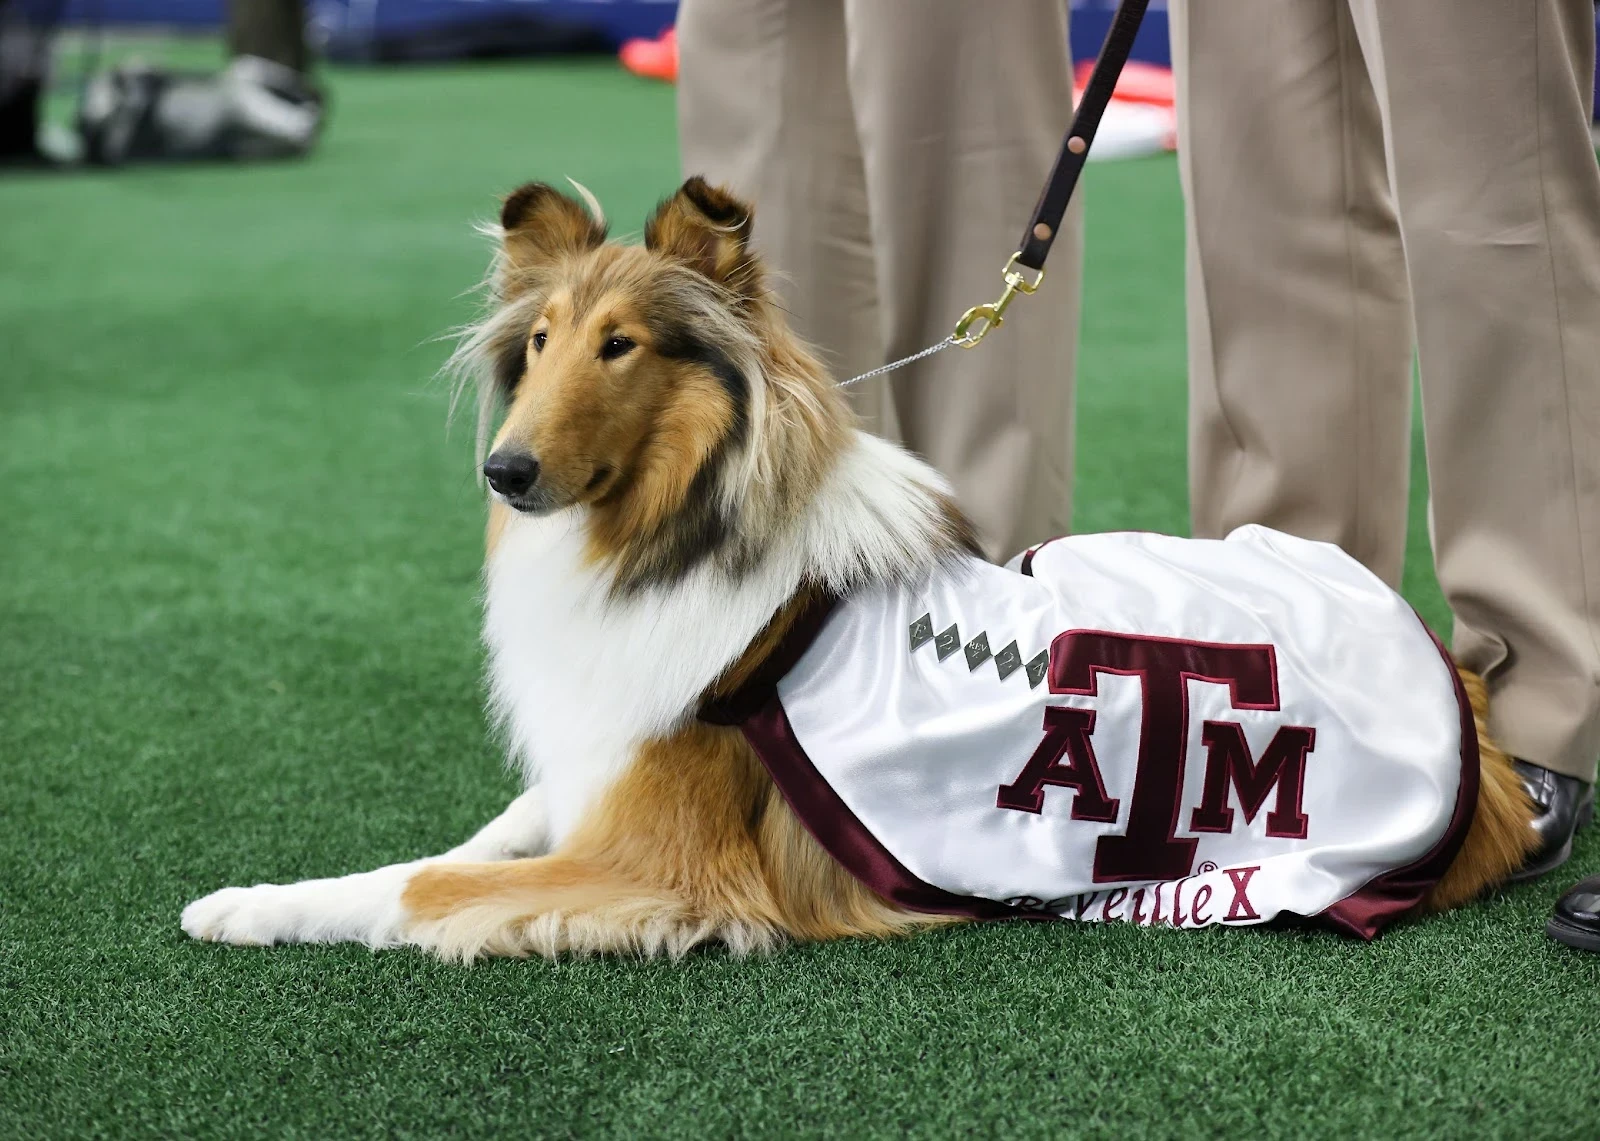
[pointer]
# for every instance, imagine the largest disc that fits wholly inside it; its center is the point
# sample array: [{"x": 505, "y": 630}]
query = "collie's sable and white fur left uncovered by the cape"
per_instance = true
[{"x": 700, "y": 481}]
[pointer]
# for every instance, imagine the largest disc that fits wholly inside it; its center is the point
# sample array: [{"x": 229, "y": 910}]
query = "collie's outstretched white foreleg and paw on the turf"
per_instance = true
[{"x": 362, "y": 908}]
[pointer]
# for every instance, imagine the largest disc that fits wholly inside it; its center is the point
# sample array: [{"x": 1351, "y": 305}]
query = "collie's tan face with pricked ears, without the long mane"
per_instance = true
[{"x": 623, "y": 372}]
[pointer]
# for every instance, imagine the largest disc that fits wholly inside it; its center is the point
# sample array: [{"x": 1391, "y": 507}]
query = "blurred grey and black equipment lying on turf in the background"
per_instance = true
[{"x": 250, "y": 110}]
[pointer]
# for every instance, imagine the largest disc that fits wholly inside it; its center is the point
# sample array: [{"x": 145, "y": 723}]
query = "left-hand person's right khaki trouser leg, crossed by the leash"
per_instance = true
[{"x": 961, "y": 121}]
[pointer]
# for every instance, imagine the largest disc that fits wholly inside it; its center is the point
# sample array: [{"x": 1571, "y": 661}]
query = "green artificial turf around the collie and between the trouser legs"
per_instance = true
[{"x": 239, "y": 561}]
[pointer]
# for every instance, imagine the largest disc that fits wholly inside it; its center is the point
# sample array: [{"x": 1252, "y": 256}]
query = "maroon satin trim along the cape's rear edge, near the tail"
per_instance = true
[{"x": 1390, "y": 897}]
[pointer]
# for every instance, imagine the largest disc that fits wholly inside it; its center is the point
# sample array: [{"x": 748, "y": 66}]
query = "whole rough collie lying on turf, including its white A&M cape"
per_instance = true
[{"x": 764, "y": 689}]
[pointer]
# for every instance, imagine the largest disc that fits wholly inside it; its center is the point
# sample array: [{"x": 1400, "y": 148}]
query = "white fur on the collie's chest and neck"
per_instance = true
[{"x": 582, "y": 679}]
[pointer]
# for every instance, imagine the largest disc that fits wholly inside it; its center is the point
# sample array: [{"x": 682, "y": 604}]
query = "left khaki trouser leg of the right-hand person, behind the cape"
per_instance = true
[{"x": 1300, "y": 327}]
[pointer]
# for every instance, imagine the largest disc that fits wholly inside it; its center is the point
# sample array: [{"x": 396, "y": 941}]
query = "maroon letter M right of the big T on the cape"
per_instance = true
[{"x": 1230, "y": 763}]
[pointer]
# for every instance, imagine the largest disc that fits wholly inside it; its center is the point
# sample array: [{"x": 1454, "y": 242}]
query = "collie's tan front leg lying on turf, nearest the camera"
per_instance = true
[{"x": 615, "y": 891}]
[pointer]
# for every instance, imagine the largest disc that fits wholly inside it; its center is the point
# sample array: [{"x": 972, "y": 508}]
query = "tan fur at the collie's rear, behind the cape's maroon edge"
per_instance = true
[{"x": 1502, "y": 835}]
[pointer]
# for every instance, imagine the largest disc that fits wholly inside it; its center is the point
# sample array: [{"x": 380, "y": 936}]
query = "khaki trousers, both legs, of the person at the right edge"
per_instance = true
[{"x": 1484, "y": 122}]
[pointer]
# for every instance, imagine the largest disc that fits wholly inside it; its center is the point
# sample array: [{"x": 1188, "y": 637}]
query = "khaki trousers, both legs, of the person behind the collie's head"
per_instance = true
[{"x": 894, "y": 151}]
